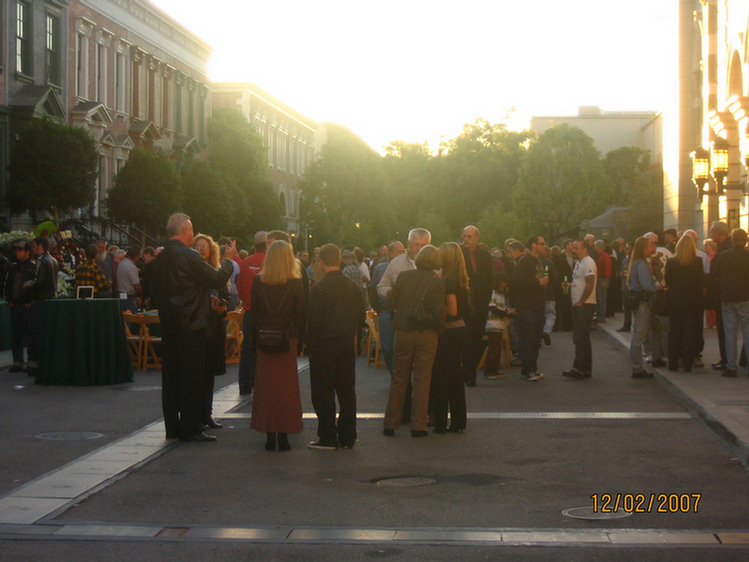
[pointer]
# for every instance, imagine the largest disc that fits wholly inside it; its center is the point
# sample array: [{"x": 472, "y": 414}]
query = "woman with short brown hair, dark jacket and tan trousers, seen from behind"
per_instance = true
[{"x": 418, "y": 302}]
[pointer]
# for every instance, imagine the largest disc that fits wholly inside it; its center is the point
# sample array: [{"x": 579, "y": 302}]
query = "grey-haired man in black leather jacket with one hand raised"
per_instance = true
[{"x": 181, "y": 281}]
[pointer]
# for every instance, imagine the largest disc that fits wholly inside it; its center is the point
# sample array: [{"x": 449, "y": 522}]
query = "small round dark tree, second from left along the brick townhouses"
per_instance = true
[{"x": 146, "y": 191}]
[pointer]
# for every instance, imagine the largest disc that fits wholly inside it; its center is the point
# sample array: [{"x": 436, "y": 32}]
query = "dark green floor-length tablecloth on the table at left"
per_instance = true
[{"x": 83, "y": 343}]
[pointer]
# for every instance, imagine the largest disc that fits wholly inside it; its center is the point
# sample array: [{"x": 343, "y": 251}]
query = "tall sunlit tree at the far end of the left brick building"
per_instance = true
[{"x": 236, "y": 154}]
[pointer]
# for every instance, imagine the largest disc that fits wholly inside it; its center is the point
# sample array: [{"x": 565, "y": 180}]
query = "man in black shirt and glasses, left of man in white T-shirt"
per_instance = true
[{"x": 528, "y": 296}]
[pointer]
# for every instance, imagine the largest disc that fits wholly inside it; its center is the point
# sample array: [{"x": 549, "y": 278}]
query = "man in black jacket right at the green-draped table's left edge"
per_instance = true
[{"x": 43, "y": 287}]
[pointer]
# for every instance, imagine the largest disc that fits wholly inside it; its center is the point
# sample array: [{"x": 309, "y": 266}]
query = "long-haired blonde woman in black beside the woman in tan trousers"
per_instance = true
[{"x": 447, "y": 388}]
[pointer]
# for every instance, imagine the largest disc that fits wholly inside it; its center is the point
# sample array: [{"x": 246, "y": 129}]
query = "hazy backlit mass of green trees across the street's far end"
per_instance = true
[{"x": 508, "y": 183}]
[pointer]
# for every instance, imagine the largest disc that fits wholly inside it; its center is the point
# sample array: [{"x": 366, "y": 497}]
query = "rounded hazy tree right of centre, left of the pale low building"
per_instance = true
[{"x": 561, "y": 182}]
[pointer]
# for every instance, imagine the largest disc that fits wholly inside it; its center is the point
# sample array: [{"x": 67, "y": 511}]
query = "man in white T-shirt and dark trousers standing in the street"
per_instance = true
[{"x": 583, "y": 294}]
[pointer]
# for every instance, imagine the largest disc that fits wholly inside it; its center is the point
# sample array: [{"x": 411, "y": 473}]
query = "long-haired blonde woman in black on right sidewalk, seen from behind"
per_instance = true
[{"x": 685, "y": 281}]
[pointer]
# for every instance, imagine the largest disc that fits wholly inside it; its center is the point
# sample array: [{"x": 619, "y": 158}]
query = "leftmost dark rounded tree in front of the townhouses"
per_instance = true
[{"x": 53, "y": 167}]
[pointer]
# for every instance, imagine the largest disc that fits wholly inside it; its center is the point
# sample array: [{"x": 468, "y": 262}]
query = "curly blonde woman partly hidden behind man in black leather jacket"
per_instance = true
[{"x": 215, "y": 358}]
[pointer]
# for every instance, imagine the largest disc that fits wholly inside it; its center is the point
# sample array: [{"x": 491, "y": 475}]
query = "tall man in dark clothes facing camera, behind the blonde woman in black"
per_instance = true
[{"x": 479, "y": 267}]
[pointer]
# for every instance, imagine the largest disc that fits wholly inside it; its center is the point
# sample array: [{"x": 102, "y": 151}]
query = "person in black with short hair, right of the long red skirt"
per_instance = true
[{"x": 335, "y": 312}]
